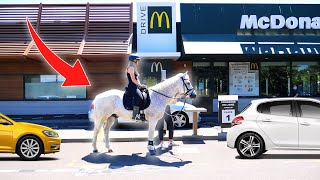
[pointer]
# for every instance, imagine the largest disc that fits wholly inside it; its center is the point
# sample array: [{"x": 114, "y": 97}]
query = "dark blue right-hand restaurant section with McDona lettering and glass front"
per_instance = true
[{"x": 251, "y": 50}]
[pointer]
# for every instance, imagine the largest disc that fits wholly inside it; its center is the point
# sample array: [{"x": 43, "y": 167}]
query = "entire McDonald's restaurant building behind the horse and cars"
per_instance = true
[{"x": 251, "y": 50}]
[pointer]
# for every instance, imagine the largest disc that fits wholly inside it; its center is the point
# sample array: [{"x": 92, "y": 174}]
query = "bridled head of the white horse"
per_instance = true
[{"x": 186, "y": 86}]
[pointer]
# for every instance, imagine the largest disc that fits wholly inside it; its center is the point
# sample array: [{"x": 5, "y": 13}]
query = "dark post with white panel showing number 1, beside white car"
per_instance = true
[{"x": 227, "y": 109}]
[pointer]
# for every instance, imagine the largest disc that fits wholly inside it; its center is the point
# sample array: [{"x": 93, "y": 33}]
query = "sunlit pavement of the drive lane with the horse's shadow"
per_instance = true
[{"x": 191, "y": 160}]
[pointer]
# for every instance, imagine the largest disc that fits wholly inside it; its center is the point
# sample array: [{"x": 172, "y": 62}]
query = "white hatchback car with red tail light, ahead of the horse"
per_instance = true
[{"x": 277, "y": 123}]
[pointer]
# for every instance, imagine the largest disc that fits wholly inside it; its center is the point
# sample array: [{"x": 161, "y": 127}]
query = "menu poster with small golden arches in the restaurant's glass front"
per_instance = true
[{"x": 244, "y": 79}]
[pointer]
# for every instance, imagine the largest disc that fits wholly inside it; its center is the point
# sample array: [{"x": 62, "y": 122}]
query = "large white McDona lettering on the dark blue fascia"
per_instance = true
[{"x": 279, "y": 22}]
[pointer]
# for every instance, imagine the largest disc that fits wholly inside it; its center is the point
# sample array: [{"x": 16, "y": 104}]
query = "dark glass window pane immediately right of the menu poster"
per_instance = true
[{"x": 275, "y": 79}]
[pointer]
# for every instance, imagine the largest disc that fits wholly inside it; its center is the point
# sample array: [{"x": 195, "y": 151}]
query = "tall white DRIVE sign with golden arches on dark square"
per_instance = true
[{"x": 156, "y": 27}]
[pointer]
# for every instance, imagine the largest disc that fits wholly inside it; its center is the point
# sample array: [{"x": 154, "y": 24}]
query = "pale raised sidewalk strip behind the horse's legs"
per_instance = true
[{"x": 205, "y": 133}]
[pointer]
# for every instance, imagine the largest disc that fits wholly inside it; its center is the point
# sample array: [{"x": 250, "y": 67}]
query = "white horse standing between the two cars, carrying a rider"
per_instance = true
[{"x": 108, "y": 106}]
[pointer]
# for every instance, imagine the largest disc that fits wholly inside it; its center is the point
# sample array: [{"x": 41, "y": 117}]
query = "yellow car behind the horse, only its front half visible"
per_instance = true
[{"x": 28, "y": 140}]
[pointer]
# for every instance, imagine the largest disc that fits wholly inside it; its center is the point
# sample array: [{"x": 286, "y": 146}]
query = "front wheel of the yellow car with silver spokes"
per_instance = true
[{"x": 29, "y": 148}]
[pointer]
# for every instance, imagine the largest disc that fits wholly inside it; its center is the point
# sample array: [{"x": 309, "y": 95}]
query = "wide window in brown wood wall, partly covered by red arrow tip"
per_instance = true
[{"x": 48, "y": 87}]
